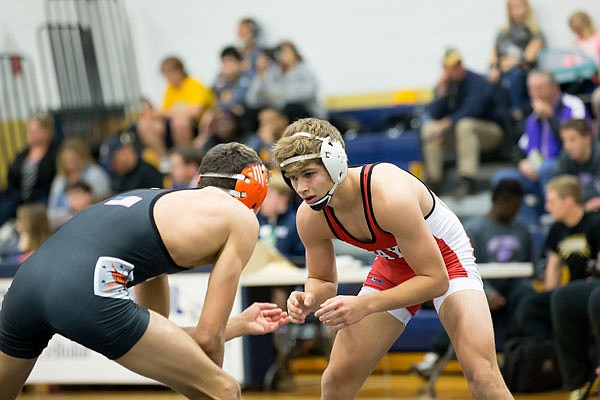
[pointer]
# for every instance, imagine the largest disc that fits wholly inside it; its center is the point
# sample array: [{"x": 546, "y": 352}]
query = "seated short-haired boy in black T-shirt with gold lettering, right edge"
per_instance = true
[{"x": 567, "y": 244}]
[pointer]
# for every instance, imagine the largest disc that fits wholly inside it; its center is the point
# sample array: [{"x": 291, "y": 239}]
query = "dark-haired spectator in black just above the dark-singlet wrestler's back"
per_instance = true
[{"x": 128, "y": 170}]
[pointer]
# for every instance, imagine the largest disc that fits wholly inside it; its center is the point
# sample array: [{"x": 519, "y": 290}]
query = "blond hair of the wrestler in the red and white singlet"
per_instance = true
[{"x": 291, "y": 146}]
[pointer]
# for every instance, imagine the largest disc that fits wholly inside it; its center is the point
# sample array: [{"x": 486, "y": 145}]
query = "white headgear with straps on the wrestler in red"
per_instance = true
[{"x": 333, "y": 156}]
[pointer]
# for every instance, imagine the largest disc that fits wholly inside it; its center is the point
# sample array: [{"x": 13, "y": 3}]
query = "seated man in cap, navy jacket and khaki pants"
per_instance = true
[{"x": 465, "y": 106}]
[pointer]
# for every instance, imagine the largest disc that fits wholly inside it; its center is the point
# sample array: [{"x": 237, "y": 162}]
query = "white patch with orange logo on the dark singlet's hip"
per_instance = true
[{"x": 111, "y": 276}]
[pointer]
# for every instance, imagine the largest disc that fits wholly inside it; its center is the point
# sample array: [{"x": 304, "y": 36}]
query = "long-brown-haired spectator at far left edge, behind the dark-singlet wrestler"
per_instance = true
[{"x": 31, "y": 230}]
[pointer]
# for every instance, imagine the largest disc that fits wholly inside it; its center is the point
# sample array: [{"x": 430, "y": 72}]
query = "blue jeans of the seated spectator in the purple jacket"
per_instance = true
[{"x": 530, "y": 213}]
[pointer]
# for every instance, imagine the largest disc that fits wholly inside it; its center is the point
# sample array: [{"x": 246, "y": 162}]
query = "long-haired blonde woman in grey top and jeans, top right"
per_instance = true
[{"x": 515, "y": 52}]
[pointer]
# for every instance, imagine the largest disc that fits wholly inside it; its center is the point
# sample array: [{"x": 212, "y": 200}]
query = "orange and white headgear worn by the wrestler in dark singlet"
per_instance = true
[{"x": 251, "y": 186}]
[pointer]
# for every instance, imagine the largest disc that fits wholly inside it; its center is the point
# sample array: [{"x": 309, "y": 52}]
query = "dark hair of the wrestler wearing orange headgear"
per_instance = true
[{"x": 226, "y": 158}]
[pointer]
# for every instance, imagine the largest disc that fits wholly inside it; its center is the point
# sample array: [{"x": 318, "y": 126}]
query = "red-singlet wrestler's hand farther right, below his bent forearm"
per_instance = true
[{"x": 341, "y": 311}]
